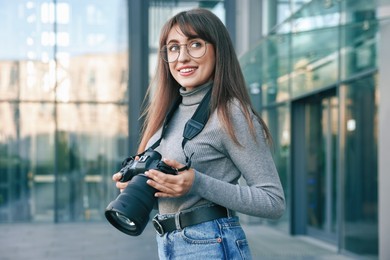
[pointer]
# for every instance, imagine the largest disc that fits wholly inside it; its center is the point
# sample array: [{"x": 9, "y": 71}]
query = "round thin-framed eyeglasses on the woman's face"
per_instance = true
[{"x": 195, "y": 48}]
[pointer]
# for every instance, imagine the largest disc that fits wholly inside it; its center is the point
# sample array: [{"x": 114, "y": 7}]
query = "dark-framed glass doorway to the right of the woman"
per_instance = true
[{"x": 315, "y": 133}]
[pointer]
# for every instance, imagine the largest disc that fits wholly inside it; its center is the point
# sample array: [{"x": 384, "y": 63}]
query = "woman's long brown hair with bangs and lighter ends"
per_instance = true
[{"x": 228, "y": 80}]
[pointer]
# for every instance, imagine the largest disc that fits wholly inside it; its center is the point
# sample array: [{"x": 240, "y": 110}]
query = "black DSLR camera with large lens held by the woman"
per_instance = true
[{"x": 130, "y": 211}]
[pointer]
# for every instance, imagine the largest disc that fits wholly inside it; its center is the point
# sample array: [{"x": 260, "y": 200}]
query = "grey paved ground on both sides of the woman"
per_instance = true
[{"x": 100, "y": 241}]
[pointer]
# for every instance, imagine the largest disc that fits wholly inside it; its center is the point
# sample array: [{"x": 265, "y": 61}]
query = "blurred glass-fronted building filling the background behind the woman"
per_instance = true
[{"x": 73, "y": 75}]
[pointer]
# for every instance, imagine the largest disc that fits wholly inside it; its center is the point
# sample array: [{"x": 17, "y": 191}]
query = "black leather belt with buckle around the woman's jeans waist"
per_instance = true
[{"x": 185, "y": 219}]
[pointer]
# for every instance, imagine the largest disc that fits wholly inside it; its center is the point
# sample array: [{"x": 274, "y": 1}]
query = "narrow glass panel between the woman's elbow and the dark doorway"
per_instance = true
[{"x": 278, "y": 121}]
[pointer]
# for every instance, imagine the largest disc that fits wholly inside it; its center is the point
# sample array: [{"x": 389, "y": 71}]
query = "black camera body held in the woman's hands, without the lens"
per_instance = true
[{"x": 149, "y": 160}]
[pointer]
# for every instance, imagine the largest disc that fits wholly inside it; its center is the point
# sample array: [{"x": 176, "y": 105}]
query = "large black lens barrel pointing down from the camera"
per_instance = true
[{"x": 130, "y": 211}]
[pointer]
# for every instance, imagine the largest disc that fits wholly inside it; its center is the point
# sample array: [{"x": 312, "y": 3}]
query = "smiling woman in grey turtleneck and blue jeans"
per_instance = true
[{"x": 196, "y": 207}]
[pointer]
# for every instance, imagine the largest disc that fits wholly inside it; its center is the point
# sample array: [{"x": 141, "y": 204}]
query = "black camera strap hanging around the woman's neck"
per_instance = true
[{"x": 193, "y": 126}]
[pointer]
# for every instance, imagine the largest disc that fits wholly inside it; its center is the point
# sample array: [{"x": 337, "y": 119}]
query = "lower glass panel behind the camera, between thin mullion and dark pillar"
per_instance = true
[{"x": 88, "y": 148}]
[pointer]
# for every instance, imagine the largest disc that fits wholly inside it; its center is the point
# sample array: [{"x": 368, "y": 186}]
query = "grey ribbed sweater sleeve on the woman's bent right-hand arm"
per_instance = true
[{"x": 263, "y": 195}]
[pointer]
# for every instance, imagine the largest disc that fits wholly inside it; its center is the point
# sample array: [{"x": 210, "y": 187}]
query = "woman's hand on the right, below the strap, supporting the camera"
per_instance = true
[{"x": 169, "y": 185}]
